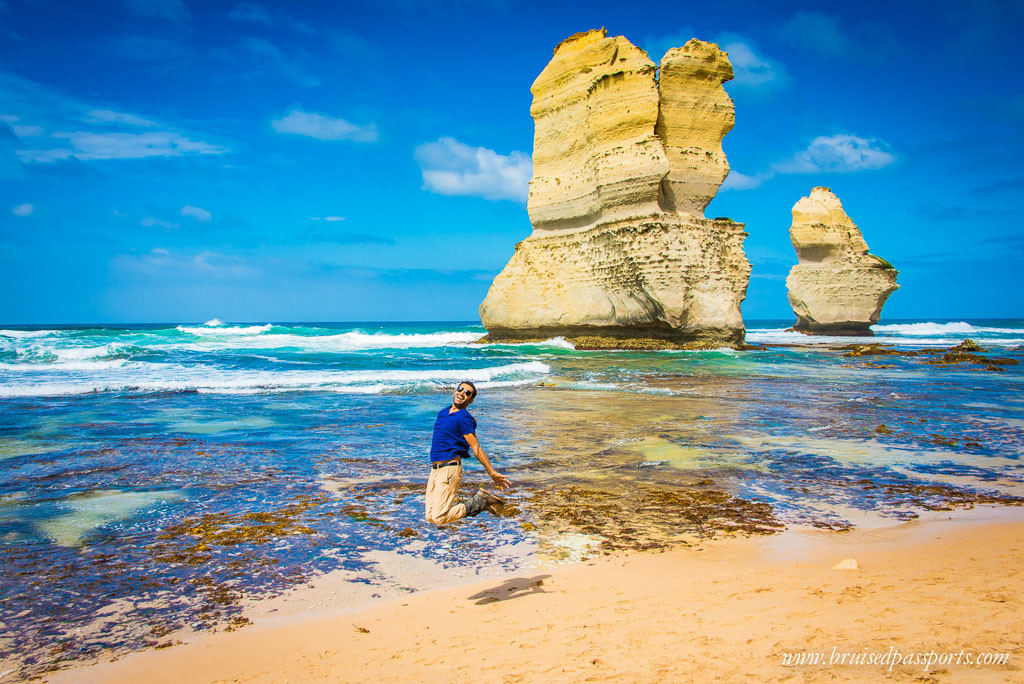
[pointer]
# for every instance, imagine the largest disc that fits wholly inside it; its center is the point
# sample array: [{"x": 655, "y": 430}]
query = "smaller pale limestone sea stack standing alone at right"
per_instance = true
[{"x": 837, "y": 288}]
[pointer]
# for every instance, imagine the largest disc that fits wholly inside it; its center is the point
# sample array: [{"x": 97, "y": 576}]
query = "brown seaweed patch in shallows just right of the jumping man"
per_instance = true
[{"x": 649, "y": 520}]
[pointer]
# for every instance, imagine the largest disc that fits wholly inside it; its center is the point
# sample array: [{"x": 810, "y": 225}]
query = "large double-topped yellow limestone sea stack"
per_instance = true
[{"x": 625, "y": 162}]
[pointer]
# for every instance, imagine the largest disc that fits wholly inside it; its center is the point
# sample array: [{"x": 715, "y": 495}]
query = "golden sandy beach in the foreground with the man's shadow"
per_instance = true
[{"x": 941, "y": 590}]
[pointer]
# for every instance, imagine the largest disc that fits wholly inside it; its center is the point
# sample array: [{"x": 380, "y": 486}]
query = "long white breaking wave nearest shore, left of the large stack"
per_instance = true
[{"x": 164, "y": 377}]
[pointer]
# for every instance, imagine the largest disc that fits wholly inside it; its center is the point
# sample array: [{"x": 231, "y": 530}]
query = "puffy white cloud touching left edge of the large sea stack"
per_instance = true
[{"x": 454, "y": 168}]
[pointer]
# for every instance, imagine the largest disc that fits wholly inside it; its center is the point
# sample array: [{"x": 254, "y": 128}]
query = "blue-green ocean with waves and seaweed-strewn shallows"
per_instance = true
[{"x": 157, "y": 479}]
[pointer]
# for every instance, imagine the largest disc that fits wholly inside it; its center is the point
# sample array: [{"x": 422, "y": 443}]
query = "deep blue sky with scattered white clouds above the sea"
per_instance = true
[{"x": 175, "y": 161}]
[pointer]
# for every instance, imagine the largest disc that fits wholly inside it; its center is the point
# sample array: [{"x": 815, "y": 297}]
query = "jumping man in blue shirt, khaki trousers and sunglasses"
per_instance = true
[{"x": 455, "y": 436}]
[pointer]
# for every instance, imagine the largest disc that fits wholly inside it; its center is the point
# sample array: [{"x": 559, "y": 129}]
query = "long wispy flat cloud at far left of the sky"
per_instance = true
[{"x": 88, "y": 146}]
